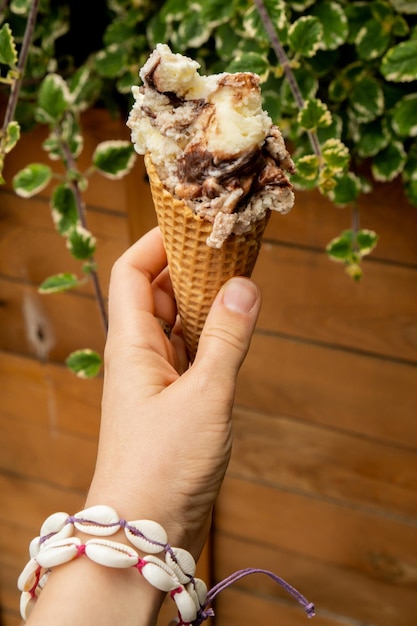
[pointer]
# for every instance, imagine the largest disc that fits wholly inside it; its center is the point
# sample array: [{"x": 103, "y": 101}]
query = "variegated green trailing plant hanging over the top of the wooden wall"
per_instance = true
[{"x": 338, "y": 76}]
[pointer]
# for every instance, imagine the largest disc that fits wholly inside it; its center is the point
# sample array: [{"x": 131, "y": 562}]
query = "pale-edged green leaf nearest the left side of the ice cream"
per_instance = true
[{"x": 114, "y": 158}]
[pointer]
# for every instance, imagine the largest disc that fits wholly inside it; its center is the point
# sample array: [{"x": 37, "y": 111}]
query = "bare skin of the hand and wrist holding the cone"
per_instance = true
[{"x": 165, "y": 436}]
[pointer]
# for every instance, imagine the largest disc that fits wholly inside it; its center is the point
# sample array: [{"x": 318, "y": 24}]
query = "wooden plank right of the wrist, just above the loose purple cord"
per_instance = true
[{"x": 368, "y": 543}]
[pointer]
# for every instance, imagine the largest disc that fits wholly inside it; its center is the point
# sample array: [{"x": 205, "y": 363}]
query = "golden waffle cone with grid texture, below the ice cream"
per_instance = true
[{"x": 197, "y": 270}]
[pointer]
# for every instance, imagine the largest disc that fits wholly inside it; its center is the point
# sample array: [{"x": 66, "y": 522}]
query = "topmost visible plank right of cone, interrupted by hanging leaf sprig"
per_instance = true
[{"x": 314, "y": 221}]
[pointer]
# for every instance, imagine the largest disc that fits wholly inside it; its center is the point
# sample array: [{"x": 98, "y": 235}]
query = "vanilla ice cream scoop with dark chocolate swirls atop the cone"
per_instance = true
[{"x": 211, "y": 142}]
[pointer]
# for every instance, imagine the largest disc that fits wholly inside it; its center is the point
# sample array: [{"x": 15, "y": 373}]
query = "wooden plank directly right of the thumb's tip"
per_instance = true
[{"x": 305, "y": 296}]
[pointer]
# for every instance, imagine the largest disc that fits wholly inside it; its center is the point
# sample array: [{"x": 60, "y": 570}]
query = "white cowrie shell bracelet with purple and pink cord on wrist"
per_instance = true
[{"x": 173, "y": 574}]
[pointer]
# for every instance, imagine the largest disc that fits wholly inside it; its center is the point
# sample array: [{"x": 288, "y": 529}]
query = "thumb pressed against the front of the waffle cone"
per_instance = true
[{"x": 229, "y": 327}]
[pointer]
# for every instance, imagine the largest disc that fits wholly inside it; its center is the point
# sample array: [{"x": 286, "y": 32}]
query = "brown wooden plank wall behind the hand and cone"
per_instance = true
[{"x": 322, "y": 484}]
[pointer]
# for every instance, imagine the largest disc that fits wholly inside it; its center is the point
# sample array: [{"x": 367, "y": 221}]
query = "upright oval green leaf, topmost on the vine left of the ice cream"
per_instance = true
[{"x": 53, "y": 100}]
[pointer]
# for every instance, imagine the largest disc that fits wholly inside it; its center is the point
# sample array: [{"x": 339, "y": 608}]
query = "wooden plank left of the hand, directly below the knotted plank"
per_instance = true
[{"x": 49, "y": 396}]
